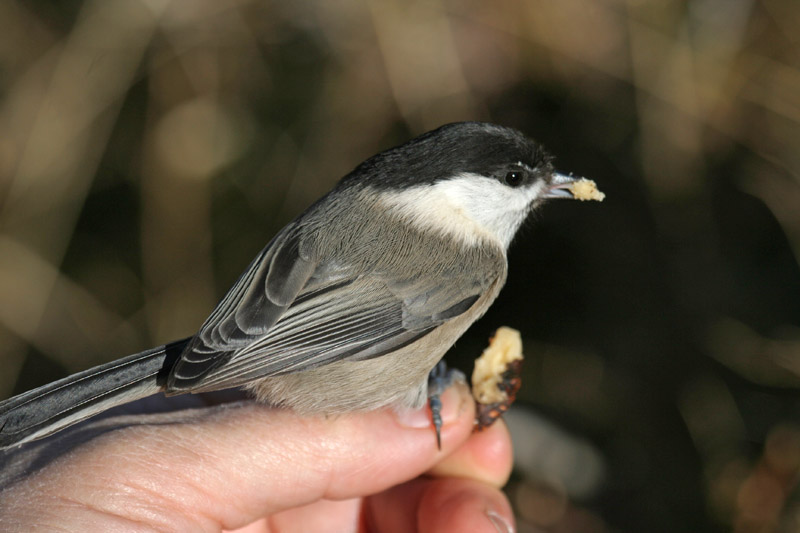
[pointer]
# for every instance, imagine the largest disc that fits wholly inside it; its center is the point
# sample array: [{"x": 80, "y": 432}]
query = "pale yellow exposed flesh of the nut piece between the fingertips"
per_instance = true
[{"x": 504, "y": 348}]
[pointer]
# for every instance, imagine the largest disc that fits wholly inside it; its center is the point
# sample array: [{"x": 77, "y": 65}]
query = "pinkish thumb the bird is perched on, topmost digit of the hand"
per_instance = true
[{"x": 229, "y": 465}]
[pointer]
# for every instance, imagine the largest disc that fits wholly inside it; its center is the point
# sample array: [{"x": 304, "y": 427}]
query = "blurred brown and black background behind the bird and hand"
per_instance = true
[{"x": 150, "y": 148}]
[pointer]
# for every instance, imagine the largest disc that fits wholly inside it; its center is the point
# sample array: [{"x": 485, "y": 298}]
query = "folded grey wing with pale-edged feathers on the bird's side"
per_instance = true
[{"x": 338, "y": 312}]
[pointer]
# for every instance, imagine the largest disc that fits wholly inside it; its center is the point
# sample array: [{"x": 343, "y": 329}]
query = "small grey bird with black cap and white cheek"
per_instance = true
[{"x": 354, "y": 302}]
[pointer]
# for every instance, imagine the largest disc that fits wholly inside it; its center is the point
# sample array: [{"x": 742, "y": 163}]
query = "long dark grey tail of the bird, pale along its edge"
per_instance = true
[{"x": 52, "y": 407}]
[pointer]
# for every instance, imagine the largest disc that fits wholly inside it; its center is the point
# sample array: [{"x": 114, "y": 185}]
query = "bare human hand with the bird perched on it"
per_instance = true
[{"x": 245, "y": 467}]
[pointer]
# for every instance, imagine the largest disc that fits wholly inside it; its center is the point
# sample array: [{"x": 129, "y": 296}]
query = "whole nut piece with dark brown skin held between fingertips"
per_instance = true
[{"x": 496, "y": 379}]
